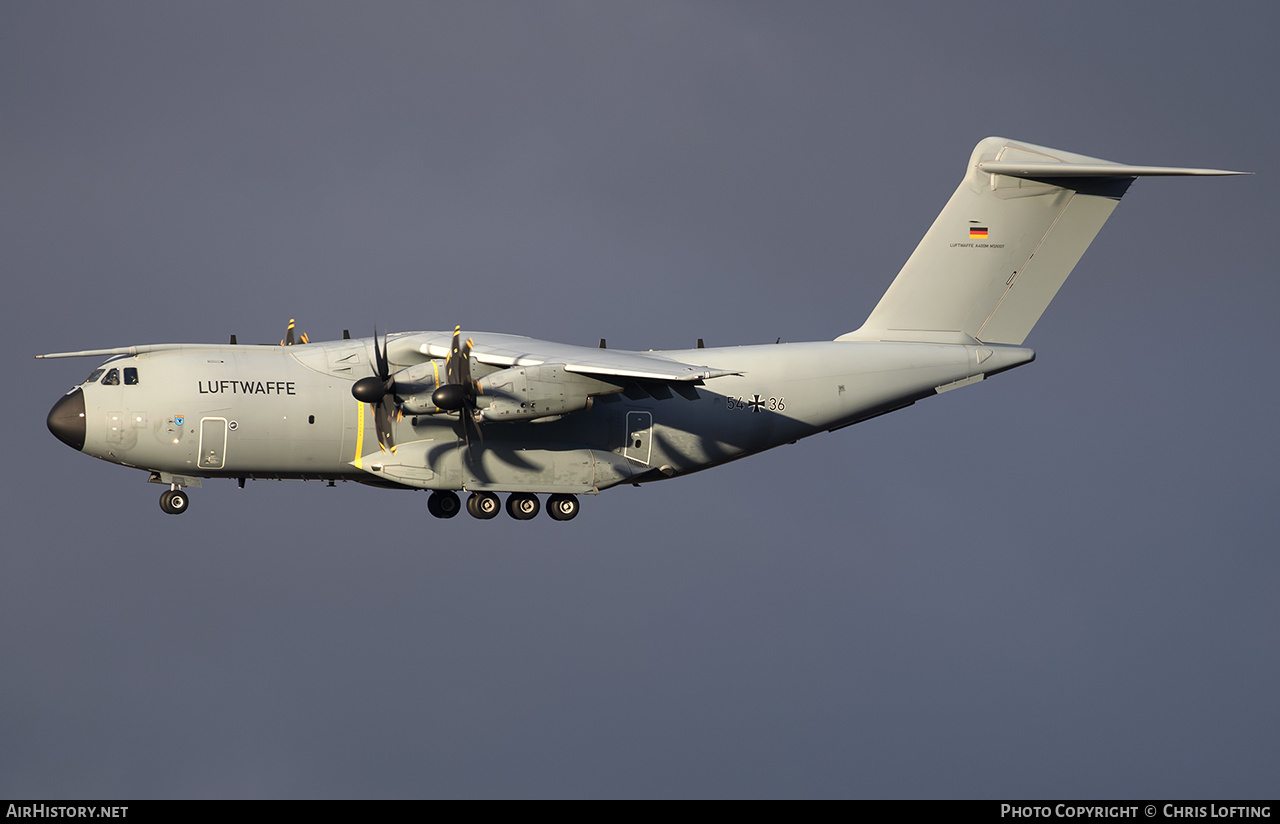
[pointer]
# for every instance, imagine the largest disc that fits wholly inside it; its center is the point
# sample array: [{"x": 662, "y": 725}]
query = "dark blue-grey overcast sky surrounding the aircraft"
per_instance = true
[{"x": 1057, "y": 584}]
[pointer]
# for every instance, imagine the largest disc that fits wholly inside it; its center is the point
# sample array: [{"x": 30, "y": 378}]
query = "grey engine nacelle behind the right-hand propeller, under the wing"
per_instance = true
[{"x": 525, "y": 393}]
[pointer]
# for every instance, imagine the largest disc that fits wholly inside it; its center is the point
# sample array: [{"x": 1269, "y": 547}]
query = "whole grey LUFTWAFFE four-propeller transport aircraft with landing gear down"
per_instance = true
[{"x": 492, "y": 414}]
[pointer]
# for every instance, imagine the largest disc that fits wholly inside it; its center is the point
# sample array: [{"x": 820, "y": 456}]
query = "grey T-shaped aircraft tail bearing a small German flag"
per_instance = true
[{"x": 1004, "y": 245}]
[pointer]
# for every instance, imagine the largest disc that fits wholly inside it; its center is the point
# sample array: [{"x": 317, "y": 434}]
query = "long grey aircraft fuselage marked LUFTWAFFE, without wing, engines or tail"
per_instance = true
[{"x": 287, "y": 413}]
